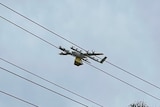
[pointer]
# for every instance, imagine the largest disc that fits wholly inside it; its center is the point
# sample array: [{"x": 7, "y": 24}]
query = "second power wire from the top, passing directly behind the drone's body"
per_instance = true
[{"x": 97, "y": 68}]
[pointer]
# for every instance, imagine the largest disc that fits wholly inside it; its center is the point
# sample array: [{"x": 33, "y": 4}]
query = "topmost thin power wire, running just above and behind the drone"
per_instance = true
[{"x": 120, "y": 68}]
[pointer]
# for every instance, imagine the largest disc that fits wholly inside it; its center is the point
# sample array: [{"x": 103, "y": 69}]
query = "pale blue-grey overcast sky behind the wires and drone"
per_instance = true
[{"x": 126, "y": 31}]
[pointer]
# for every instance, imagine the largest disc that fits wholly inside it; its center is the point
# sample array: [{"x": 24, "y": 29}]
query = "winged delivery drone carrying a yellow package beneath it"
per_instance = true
[{"x": 80, "y": 56}]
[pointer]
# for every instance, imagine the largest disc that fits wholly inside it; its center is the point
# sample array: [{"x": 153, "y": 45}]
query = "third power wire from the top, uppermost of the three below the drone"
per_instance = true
[{"x": 50, "y": 82}]
